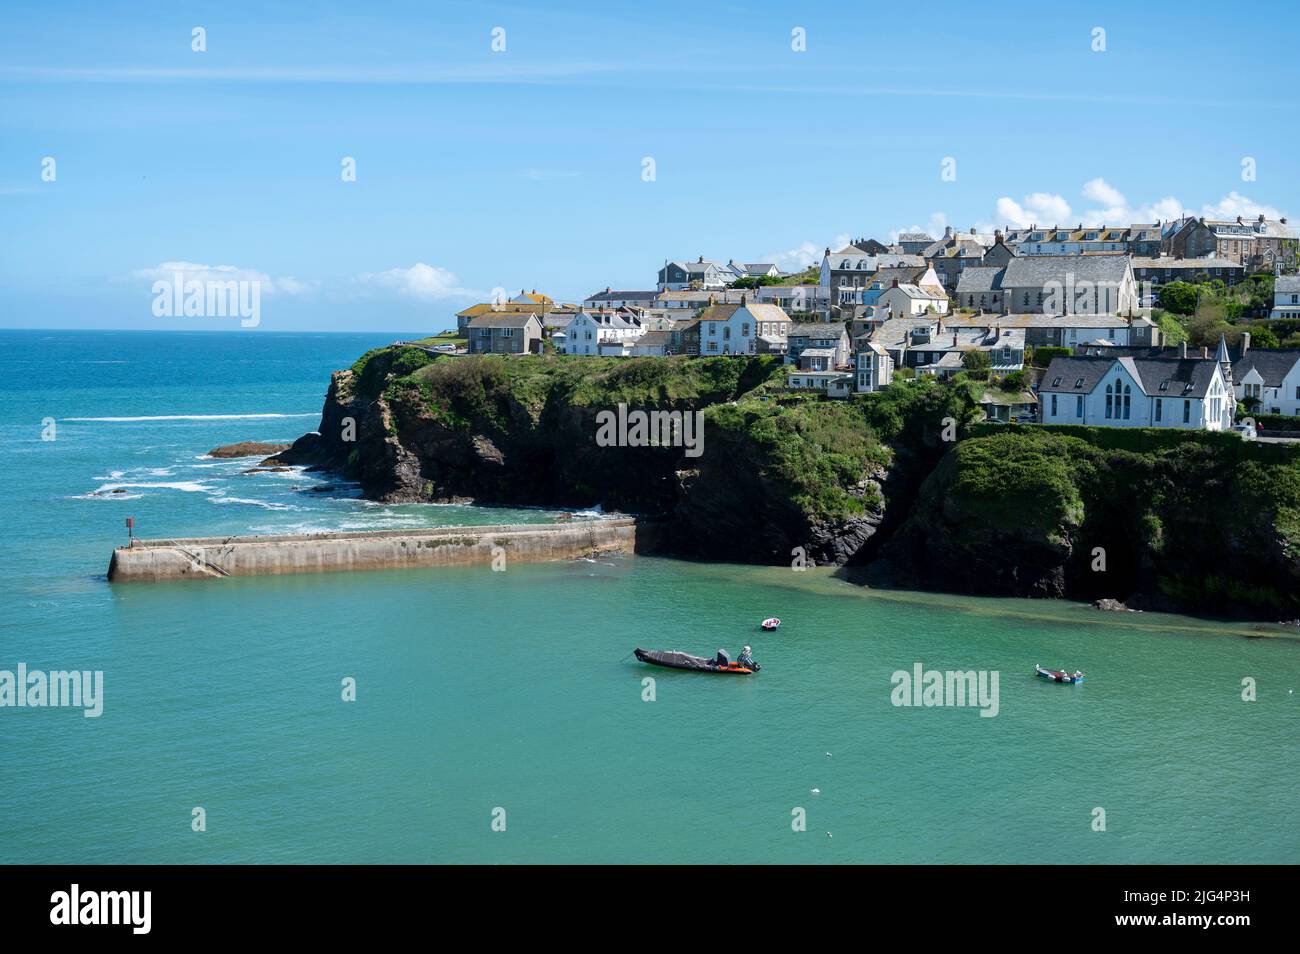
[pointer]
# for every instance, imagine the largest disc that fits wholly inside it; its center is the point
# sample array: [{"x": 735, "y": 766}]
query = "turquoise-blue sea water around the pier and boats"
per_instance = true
[{"x": 479, "y": 691}]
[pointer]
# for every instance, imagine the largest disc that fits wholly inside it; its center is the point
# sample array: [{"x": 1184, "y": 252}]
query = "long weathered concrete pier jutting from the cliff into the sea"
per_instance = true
[{"x": 462, "y": 547}]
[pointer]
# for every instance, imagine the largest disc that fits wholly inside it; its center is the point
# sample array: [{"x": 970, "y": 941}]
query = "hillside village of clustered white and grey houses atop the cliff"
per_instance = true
[{"x": 938, "y": 306}]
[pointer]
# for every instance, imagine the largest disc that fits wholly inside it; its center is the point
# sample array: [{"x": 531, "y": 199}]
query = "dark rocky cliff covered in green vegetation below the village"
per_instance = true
[{"x": 898, "y": 484}]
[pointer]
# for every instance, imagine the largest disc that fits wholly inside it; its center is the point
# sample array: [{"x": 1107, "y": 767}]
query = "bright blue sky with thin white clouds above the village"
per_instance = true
[{"x": 480, "y": 170}]
